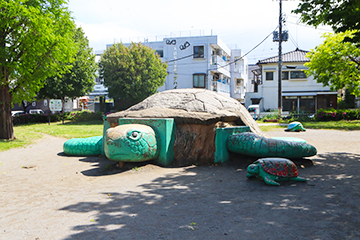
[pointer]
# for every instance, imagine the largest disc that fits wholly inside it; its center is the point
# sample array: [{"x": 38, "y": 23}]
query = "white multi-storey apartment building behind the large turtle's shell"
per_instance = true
[{"x": 202, "y": 62}]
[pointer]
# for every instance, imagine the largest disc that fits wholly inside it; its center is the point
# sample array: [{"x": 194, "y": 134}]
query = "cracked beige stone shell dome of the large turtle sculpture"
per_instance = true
[{"x": 194, "y": 106}]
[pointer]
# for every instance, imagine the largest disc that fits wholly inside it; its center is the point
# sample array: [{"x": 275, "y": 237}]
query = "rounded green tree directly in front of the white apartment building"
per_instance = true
[{"x": 131, "y": 73}]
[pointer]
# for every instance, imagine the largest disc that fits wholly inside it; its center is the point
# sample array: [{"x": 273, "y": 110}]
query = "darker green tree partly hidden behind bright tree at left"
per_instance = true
[{"x": 79, "y": 79}]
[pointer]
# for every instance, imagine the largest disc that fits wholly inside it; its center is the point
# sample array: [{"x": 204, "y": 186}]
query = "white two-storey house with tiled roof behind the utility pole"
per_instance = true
[{"x": 300, "y": 94}]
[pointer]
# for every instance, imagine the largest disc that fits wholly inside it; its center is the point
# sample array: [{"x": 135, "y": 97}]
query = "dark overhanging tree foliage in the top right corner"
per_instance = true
[{"x": 341, "y": 15}]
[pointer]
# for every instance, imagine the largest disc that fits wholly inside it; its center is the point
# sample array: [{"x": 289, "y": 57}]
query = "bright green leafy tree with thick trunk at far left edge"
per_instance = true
[{"x": 35, "y": 36}]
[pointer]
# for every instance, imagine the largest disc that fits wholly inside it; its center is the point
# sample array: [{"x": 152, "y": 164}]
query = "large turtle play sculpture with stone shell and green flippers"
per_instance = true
[{"x": 182, "y": 127}]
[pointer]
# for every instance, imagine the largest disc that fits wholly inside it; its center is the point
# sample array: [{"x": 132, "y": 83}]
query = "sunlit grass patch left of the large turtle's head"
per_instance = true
[{"x": 29, "y": 133}]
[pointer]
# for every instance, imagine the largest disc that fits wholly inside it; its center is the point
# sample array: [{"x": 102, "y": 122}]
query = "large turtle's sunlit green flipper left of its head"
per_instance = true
[{"x": 83, "y": 146}]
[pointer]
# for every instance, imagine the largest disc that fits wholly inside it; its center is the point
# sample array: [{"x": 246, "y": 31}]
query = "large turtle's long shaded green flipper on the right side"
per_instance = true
[{"x": 251, "y": 144}]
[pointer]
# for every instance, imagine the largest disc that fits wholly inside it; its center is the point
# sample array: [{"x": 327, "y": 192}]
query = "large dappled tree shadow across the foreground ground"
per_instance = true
[{"x": 219, "y": 202}]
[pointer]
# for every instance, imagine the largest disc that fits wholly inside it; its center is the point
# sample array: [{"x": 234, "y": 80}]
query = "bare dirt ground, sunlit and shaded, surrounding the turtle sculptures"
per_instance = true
[{"x": 46, "y": 195}]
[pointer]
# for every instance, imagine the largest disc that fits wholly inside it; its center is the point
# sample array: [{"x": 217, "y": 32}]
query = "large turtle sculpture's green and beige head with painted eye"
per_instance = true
[{"x": 131, "y": 143}]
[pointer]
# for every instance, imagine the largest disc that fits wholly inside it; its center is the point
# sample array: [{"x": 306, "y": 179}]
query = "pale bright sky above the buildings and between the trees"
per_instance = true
[{"x": 240, "y": 24}]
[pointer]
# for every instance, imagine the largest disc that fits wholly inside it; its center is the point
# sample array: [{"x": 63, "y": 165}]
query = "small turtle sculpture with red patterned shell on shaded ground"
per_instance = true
[{"x": 274, "y": 170}]
